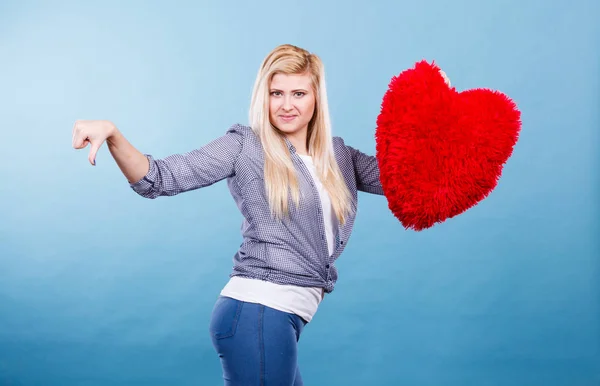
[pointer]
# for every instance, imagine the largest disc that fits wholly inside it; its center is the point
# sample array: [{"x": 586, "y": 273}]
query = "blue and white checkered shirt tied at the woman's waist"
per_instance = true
[{"x": 292, "y": 251}]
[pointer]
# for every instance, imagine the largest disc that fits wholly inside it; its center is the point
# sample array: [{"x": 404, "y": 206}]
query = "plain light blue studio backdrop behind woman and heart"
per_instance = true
[{"x": 101, "y": 287}]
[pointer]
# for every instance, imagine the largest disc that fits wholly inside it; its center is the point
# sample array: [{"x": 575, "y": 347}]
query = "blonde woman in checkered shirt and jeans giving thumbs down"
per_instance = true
[{"x": 296, "y": 187}]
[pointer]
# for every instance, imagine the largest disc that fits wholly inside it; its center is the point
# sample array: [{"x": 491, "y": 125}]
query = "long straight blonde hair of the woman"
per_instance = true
[{"x": 279, "y": 172}]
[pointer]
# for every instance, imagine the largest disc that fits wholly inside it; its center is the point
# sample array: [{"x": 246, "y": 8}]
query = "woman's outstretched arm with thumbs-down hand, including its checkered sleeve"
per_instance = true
[{"x": 169, "y": 176}]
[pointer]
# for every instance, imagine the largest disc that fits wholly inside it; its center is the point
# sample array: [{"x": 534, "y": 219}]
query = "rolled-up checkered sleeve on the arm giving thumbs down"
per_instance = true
[{"x": 196, "y": 169}]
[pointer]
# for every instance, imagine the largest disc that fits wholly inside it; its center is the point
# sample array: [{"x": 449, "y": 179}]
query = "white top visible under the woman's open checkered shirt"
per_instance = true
[{"x": 302, "y": 301}]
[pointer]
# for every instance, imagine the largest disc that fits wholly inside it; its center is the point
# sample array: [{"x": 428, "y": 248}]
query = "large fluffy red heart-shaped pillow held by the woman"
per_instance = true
[{"x": 440, "y": 151}]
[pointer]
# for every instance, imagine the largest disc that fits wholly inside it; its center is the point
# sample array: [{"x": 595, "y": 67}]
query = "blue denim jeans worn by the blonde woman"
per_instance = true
[{"x": 257, "y": 345}]
